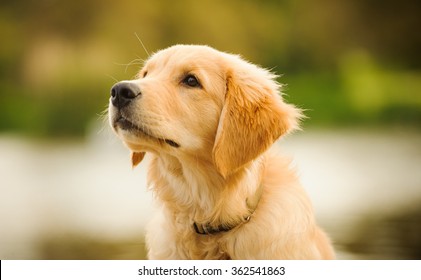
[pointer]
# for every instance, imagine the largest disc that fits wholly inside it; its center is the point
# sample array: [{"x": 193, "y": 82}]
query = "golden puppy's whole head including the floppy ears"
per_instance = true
[{"x": 194, "y": 100}]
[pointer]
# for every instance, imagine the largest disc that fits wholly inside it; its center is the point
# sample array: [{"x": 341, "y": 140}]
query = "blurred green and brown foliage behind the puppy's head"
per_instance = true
[{"x": 347, "y": 62}]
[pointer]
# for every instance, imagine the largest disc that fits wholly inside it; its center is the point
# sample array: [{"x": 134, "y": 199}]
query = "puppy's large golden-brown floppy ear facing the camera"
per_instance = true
[{"x": 253, "y": 118}]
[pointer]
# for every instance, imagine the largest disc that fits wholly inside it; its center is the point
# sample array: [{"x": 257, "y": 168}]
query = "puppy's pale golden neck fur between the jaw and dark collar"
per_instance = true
[{"x": 194, "y": 191}]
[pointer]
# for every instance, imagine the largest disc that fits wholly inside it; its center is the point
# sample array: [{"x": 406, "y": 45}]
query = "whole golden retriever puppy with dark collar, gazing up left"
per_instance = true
[{"x": 209, "y": 118}]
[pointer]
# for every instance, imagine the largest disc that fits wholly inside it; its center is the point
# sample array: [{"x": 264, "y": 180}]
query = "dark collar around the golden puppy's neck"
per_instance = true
[{"x": 251, "y": 203}]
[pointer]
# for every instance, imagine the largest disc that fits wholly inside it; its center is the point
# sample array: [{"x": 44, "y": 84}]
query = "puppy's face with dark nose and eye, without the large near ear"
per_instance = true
[{"x": 173, "y": 106}]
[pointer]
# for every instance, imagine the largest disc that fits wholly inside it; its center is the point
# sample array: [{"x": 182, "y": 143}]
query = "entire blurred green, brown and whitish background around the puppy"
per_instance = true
[{"x": 67, "y": 190}]
